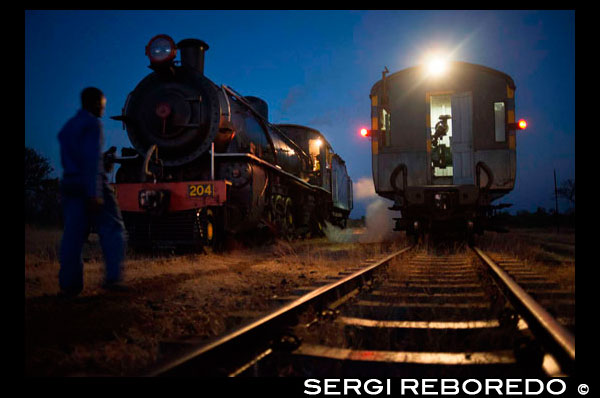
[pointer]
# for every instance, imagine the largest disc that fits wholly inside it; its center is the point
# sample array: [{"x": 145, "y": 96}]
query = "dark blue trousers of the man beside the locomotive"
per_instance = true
[{"x": 77, "y": 221}]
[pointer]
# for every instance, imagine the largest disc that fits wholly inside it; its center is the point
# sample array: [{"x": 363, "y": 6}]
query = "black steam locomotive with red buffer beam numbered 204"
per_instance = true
[{"x": 206, "y": 163}]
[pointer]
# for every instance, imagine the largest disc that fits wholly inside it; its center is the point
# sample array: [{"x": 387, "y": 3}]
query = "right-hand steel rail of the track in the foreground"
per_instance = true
[{"x": 559, "y": 338}]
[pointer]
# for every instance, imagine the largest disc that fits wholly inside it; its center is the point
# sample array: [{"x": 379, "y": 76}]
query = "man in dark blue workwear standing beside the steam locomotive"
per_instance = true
[{"x": 87, "y": 199}]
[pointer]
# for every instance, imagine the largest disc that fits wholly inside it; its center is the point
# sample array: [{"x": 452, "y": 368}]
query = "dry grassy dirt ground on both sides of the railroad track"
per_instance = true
[{"x": 200, "y": 296}]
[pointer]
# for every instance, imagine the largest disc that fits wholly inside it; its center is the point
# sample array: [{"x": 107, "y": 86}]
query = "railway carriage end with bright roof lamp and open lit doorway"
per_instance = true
[{"x": 444, "y": 146}]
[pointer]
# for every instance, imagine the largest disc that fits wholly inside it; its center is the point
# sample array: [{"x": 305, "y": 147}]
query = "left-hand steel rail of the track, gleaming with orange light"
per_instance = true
[{"x": 206, "y": 360}]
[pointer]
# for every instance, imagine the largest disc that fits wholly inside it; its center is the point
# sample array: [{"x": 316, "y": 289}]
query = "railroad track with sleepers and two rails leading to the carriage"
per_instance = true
[{"x": 407, "y": 314}]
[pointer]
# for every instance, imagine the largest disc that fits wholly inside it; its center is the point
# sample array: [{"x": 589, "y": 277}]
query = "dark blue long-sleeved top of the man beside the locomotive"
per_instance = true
[{"x": 81, "y": 140}]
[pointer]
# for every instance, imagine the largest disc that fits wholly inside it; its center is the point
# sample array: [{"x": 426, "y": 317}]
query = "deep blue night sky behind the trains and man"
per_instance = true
[{"x": 314, "y": 68}]
